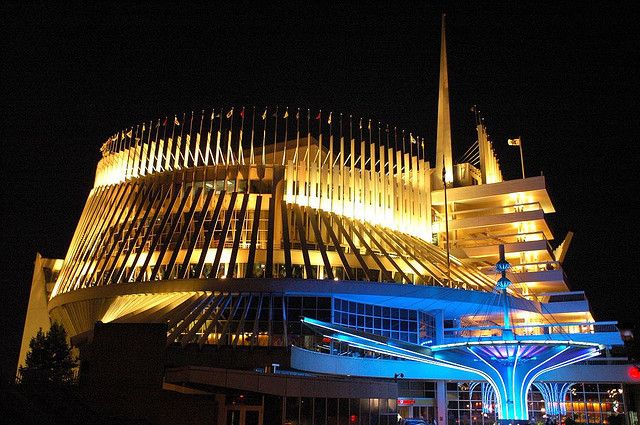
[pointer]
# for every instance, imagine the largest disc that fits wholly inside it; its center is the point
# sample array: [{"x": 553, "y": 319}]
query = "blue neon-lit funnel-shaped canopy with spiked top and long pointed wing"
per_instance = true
[{"x": 509, "y": 363}]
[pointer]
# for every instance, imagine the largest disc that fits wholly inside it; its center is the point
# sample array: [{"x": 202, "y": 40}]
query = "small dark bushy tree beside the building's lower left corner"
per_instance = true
[{"x": 49, "y": 360}]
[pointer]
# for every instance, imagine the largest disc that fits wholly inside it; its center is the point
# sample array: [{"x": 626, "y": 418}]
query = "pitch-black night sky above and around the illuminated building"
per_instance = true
[{"x": 562, "y": 76}]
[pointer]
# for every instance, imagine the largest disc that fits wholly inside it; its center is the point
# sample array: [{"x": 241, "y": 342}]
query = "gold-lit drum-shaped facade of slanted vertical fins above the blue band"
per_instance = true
[{"x": 244, "y": 202}]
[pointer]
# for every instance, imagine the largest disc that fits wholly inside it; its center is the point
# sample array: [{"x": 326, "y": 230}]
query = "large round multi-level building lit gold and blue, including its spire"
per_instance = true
[{"x": 231, "y": 227}]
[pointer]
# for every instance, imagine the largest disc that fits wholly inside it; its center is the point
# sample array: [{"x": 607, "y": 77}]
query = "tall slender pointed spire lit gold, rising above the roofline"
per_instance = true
[{"x": 443, "y": 141}]
